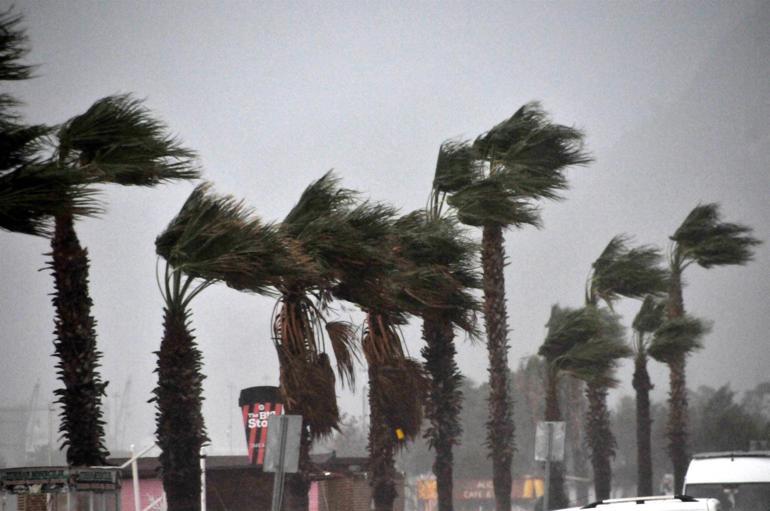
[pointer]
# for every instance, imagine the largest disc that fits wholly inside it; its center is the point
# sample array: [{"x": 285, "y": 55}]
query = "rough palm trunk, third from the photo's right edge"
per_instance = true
[{"x": 600, "y": 439}]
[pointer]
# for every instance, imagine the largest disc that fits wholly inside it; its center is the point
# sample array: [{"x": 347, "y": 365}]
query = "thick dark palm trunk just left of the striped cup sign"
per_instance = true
[{"x": 178, "y": 396}]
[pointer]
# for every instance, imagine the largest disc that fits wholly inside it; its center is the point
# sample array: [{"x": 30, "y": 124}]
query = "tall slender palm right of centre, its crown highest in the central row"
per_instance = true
[{"x": 493, "y": 182}]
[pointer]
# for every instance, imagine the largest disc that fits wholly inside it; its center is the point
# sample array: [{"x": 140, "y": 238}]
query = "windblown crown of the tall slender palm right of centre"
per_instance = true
[{"x": 494, "y": 179}]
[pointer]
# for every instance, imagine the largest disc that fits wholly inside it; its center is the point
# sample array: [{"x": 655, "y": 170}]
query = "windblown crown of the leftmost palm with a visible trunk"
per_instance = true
[{"x": 118, "y": 141}]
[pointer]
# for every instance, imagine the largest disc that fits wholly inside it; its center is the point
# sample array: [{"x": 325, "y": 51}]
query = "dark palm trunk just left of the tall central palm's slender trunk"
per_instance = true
[{"x": 444, "y": 402}]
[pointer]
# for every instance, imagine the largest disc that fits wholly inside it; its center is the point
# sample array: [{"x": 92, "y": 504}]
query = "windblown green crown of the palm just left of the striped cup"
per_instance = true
[{"x": 217, "y": 238}]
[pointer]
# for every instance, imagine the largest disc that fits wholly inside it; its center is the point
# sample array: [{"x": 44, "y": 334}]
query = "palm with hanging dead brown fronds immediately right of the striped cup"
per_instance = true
[{"x": 333, "y": 236}]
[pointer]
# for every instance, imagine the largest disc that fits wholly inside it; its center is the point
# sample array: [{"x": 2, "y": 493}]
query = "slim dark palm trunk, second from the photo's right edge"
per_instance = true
[{"x": 642, "y": 386}]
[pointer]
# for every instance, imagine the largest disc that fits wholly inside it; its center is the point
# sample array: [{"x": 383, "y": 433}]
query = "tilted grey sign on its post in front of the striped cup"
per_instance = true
[{"x": 282, "y": 451}]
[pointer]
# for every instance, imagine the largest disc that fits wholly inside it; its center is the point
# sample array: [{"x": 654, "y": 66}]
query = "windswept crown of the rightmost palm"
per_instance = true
[{"x": 705, "y": 239}]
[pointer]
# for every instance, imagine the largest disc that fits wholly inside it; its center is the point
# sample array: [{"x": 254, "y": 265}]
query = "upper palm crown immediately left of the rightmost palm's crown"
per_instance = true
[{"x": 632, "y": 272}]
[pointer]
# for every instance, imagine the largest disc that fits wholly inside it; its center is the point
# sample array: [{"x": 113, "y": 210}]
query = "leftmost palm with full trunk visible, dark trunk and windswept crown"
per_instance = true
[{"x": 115, "y": 141}]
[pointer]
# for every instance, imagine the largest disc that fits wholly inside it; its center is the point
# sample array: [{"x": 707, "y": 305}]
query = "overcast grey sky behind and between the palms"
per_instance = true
[{"x": 674, "y": 98}]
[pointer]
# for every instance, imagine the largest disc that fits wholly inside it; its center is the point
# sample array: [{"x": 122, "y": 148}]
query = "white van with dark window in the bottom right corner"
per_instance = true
[{"x": 739, "y": 480}]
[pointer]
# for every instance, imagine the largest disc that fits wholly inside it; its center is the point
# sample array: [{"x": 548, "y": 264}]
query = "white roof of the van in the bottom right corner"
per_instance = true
[{"x": 738, "y": 467}]
